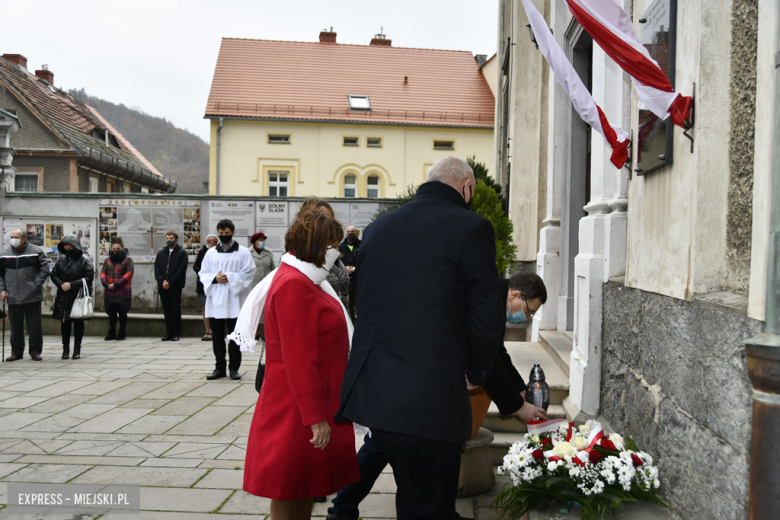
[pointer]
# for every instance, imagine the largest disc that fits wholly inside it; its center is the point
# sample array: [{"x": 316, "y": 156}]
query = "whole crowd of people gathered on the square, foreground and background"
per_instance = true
[{"x": 416, "y": 365}]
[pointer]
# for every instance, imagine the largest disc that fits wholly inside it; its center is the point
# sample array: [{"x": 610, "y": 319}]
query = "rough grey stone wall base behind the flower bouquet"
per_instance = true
[{"x": 674, "y": 377}]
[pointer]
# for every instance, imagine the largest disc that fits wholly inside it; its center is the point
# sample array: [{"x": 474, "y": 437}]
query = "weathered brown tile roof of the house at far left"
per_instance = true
[{"x": 73, "y": 119}]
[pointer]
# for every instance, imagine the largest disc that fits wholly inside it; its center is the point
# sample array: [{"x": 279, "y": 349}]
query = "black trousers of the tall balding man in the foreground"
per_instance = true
[{"x": 426, "y": 473}]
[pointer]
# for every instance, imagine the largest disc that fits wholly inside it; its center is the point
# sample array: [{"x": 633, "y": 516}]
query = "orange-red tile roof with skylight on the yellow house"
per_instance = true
[{"x": 311, "y": 81}]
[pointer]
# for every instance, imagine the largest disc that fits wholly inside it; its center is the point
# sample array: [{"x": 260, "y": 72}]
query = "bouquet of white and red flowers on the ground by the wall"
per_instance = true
[{"x": 557, "y": 464}]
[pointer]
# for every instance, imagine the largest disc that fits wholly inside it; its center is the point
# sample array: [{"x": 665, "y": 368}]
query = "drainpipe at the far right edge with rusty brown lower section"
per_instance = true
[{"x": 763, "y": 360}]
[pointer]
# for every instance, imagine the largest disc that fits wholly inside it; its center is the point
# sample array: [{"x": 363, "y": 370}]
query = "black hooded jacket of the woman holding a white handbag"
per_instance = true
[{"x": 72, "y": 270}]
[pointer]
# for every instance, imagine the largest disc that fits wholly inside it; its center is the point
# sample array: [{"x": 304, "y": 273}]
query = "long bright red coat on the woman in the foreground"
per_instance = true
[{"x": 306, "y": 354}]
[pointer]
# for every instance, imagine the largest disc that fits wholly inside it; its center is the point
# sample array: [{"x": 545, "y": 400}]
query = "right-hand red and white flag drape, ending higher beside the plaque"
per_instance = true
[{"x": 610, "y": 26}]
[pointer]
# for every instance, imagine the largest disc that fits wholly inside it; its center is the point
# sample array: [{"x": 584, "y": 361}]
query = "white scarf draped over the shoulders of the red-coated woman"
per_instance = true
[{"x": 249, "y": 317}]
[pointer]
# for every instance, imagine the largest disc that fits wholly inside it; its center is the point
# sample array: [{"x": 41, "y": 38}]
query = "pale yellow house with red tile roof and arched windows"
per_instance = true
[{"x": 334, "y": 120}]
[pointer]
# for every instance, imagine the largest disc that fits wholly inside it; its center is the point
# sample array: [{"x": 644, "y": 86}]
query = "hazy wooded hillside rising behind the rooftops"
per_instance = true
[{"x": 178, "y": 154}]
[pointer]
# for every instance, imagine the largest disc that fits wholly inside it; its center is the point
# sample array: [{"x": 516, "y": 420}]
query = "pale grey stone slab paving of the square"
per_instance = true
[{"x": 140, "y": 411}]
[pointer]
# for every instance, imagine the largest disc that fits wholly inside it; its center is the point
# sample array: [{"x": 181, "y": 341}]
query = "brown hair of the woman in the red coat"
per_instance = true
[{"x": 310, "y": 235}]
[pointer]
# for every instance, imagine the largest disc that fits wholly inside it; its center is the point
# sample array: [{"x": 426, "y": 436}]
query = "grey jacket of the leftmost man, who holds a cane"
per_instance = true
[{"x": 23, "y": 272}]
